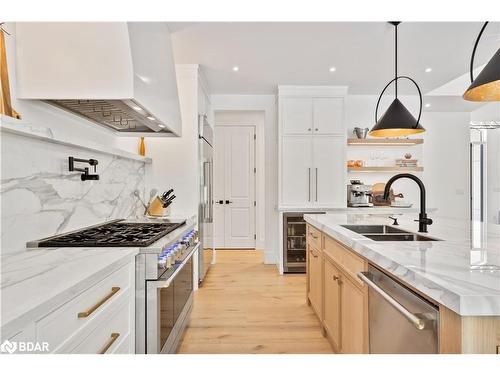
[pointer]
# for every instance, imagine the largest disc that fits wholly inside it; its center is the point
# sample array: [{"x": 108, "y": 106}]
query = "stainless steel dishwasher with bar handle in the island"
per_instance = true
[{"x": 400, "y": 320}]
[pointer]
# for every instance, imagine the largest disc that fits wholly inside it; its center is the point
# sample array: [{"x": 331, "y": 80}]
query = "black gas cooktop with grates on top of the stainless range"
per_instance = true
[{"x": 113, "y": 234}]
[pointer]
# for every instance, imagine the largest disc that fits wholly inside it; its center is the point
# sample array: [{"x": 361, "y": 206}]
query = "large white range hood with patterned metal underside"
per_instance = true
[{"x": 117, "y": 74}]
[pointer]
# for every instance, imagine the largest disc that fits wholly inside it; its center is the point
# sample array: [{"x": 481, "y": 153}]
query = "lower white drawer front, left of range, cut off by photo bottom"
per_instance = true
[{"x": 113, "y": 334}]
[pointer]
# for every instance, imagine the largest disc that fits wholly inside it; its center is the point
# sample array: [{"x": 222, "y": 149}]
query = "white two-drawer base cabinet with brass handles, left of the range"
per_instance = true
[{"x": 99, "y": 320}]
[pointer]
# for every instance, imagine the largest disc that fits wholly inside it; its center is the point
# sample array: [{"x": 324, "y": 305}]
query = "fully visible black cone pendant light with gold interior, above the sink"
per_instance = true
[{"x": 397, "y": 120}]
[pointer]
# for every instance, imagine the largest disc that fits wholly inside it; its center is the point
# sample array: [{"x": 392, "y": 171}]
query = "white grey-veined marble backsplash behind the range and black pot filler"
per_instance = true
[{"x": 40, "y": 197}]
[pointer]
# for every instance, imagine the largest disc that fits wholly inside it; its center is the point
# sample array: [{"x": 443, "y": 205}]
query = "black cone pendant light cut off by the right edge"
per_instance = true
[{"x": 486, "y": 86}]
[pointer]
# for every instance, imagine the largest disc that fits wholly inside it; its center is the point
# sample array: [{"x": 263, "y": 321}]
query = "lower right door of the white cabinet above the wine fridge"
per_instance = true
[{"x": 329, "y": 171}]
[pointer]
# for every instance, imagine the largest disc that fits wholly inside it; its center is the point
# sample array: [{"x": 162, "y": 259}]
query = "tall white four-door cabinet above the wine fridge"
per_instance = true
[{"x": 312, "y": 139}]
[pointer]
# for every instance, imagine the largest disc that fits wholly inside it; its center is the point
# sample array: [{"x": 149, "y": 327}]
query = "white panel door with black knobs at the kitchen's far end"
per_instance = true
[{"x": 235, "y": 159}]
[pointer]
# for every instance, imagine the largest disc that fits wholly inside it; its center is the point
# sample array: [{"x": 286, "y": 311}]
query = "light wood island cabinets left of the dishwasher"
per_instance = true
[{"x": 343, "y": 312}]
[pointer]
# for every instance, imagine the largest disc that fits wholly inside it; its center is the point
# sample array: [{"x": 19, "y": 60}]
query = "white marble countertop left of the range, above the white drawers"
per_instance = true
[{"x": 36, "y": 281}]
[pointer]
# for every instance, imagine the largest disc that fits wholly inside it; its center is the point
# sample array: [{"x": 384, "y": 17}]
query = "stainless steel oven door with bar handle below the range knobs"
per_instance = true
[{"x": 168, "y": 301}]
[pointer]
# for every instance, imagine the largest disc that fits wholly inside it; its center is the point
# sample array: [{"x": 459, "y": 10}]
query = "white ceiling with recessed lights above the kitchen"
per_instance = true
[{"x": 295, "y": 53}]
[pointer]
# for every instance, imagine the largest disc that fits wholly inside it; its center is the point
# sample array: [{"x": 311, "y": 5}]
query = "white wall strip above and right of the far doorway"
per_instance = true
[{"x": 267, "y": 104}]
